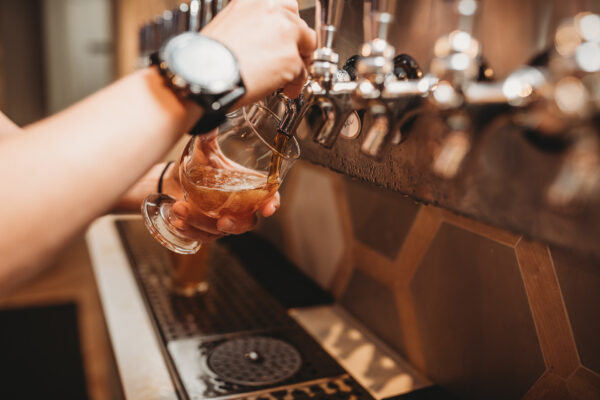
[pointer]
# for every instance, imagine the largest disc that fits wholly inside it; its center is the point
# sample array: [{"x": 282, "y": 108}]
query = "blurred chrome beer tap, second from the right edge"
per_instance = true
[{"x": 465, "y": 86}]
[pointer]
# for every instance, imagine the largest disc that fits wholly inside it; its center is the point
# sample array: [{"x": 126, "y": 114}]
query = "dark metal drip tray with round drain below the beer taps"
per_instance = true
[{"x": 234, "y": 341}]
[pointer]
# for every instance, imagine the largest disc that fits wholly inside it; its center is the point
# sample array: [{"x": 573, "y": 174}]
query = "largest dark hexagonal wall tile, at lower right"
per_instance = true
[{"x": 477, "y": 332}]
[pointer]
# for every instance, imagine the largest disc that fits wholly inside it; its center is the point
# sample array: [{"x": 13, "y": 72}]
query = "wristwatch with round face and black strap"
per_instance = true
[{"x": 201, "y": 69}]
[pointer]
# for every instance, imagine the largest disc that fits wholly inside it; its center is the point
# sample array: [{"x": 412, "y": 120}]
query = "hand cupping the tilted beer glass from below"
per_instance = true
[{"x": 202, "y": 227}]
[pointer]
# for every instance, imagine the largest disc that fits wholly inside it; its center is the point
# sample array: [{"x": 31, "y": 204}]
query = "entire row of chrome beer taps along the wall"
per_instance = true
[{"x": 555, "y": 98}]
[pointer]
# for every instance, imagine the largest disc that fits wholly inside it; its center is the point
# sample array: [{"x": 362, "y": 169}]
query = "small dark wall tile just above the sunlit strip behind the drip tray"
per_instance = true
[{"x": 373, "y": 304}]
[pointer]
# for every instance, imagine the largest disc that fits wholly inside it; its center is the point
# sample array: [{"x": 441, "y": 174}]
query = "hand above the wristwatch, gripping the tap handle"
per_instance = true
[{"x": 271, "y": 42}]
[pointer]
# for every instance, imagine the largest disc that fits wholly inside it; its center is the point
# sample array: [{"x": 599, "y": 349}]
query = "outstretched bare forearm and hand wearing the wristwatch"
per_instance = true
[{"x": 63, "y": 171}]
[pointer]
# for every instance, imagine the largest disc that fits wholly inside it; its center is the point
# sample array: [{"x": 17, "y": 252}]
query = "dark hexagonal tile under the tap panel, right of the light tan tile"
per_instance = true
[{"x": 380, "y": 219}]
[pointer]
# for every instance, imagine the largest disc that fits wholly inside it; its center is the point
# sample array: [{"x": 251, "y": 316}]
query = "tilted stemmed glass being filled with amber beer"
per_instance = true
[{"x": 224, "y": 173}]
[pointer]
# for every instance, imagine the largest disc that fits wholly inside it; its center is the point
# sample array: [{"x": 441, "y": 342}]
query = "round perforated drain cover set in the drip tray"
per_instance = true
[{"x": 254, "y": 361}]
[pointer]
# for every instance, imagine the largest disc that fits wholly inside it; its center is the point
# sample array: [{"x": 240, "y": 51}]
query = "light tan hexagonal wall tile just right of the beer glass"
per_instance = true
[{"x": 312, "y": 223}]
